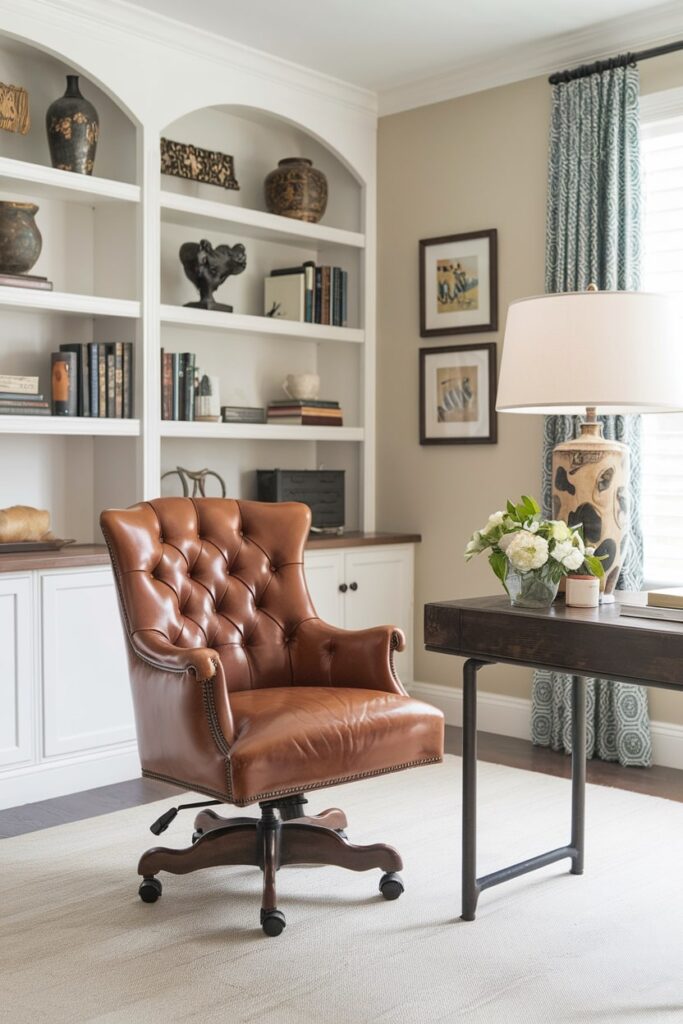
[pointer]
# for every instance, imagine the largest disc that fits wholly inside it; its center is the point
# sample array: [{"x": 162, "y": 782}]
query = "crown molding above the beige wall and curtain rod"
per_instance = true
[{"x": 635, "y": 32}]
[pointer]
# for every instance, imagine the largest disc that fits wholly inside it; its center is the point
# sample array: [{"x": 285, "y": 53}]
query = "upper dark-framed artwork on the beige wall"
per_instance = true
[{"x": 459, "y": 284}]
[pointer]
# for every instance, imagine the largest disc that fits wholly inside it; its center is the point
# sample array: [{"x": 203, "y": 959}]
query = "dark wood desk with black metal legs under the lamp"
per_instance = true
[{"x": 582, "y": 643}]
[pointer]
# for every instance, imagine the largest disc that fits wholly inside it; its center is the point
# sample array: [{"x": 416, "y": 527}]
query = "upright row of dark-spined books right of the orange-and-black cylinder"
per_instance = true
[{"x": 105, "y": 373}]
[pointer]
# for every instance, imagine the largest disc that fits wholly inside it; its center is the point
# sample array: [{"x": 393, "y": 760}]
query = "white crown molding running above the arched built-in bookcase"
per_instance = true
[{"x": 105, "y": 17}]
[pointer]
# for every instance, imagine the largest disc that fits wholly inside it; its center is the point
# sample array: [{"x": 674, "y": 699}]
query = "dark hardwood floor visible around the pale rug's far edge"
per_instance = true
[{"x": 658, "y": 782}]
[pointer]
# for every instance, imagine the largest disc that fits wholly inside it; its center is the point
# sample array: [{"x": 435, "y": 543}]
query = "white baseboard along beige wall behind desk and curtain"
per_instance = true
[{"x": 511, "y": 717}]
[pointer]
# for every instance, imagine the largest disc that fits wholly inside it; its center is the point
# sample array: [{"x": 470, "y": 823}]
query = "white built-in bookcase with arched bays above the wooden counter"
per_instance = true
[{"x": 111, "y": 244}]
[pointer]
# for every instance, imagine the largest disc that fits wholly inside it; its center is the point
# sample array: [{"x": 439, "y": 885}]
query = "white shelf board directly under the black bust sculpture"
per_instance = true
[{"x": 244, "y": 324}]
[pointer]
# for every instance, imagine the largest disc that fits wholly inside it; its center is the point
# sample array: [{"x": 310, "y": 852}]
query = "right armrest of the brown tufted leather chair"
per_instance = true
[{"x": 323, "y": 655}]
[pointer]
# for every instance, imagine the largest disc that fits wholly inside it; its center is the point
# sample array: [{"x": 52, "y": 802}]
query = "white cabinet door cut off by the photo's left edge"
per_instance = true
[{"x": 17, "y": 674}]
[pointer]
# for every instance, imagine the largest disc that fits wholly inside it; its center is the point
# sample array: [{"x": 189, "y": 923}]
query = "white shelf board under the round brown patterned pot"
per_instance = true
[{"x": 190, "y": 211}]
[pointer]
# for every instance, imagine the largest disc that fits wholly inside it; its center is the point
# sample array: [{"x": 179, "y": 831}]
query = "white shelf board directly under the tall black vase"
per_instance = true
[{"x": 48, "y": 183}]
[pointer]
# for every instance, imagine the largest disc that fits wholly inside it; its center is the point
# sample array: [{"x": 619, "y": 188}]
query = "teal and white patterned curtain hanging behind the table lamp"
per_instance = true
[{"x": 593, "y": 235}]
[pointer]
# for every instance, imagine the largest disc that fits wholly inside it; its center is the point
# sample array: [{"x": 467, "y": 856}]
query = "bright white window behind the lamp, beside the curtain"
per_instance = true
[{"x": 663, "y": 272}]
